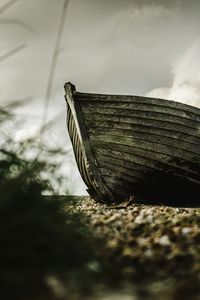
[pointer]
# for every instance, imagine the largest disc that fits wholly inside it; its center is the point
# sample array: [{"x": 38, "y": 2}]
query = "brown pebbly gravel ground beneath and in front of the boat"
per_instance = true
[{"x": 144, "y": 251}]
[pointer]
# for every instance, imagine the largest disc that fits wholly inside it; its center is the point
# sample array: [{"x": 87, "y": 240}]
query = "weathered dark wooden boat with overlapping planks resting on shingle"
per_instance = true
[{"x": 133, "y": 145}]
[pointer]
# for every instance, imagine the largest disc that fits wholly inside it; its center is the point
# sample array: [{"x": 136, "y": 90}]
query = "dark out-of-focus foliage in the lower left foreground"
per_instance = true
[{"x": 42, "y": 248}]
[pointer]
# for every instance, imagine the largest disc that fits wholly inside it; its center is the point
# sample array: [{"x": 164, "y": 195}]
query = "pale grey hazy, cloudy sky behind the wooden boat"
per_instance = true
[{"x": 139, "y": 47}]
